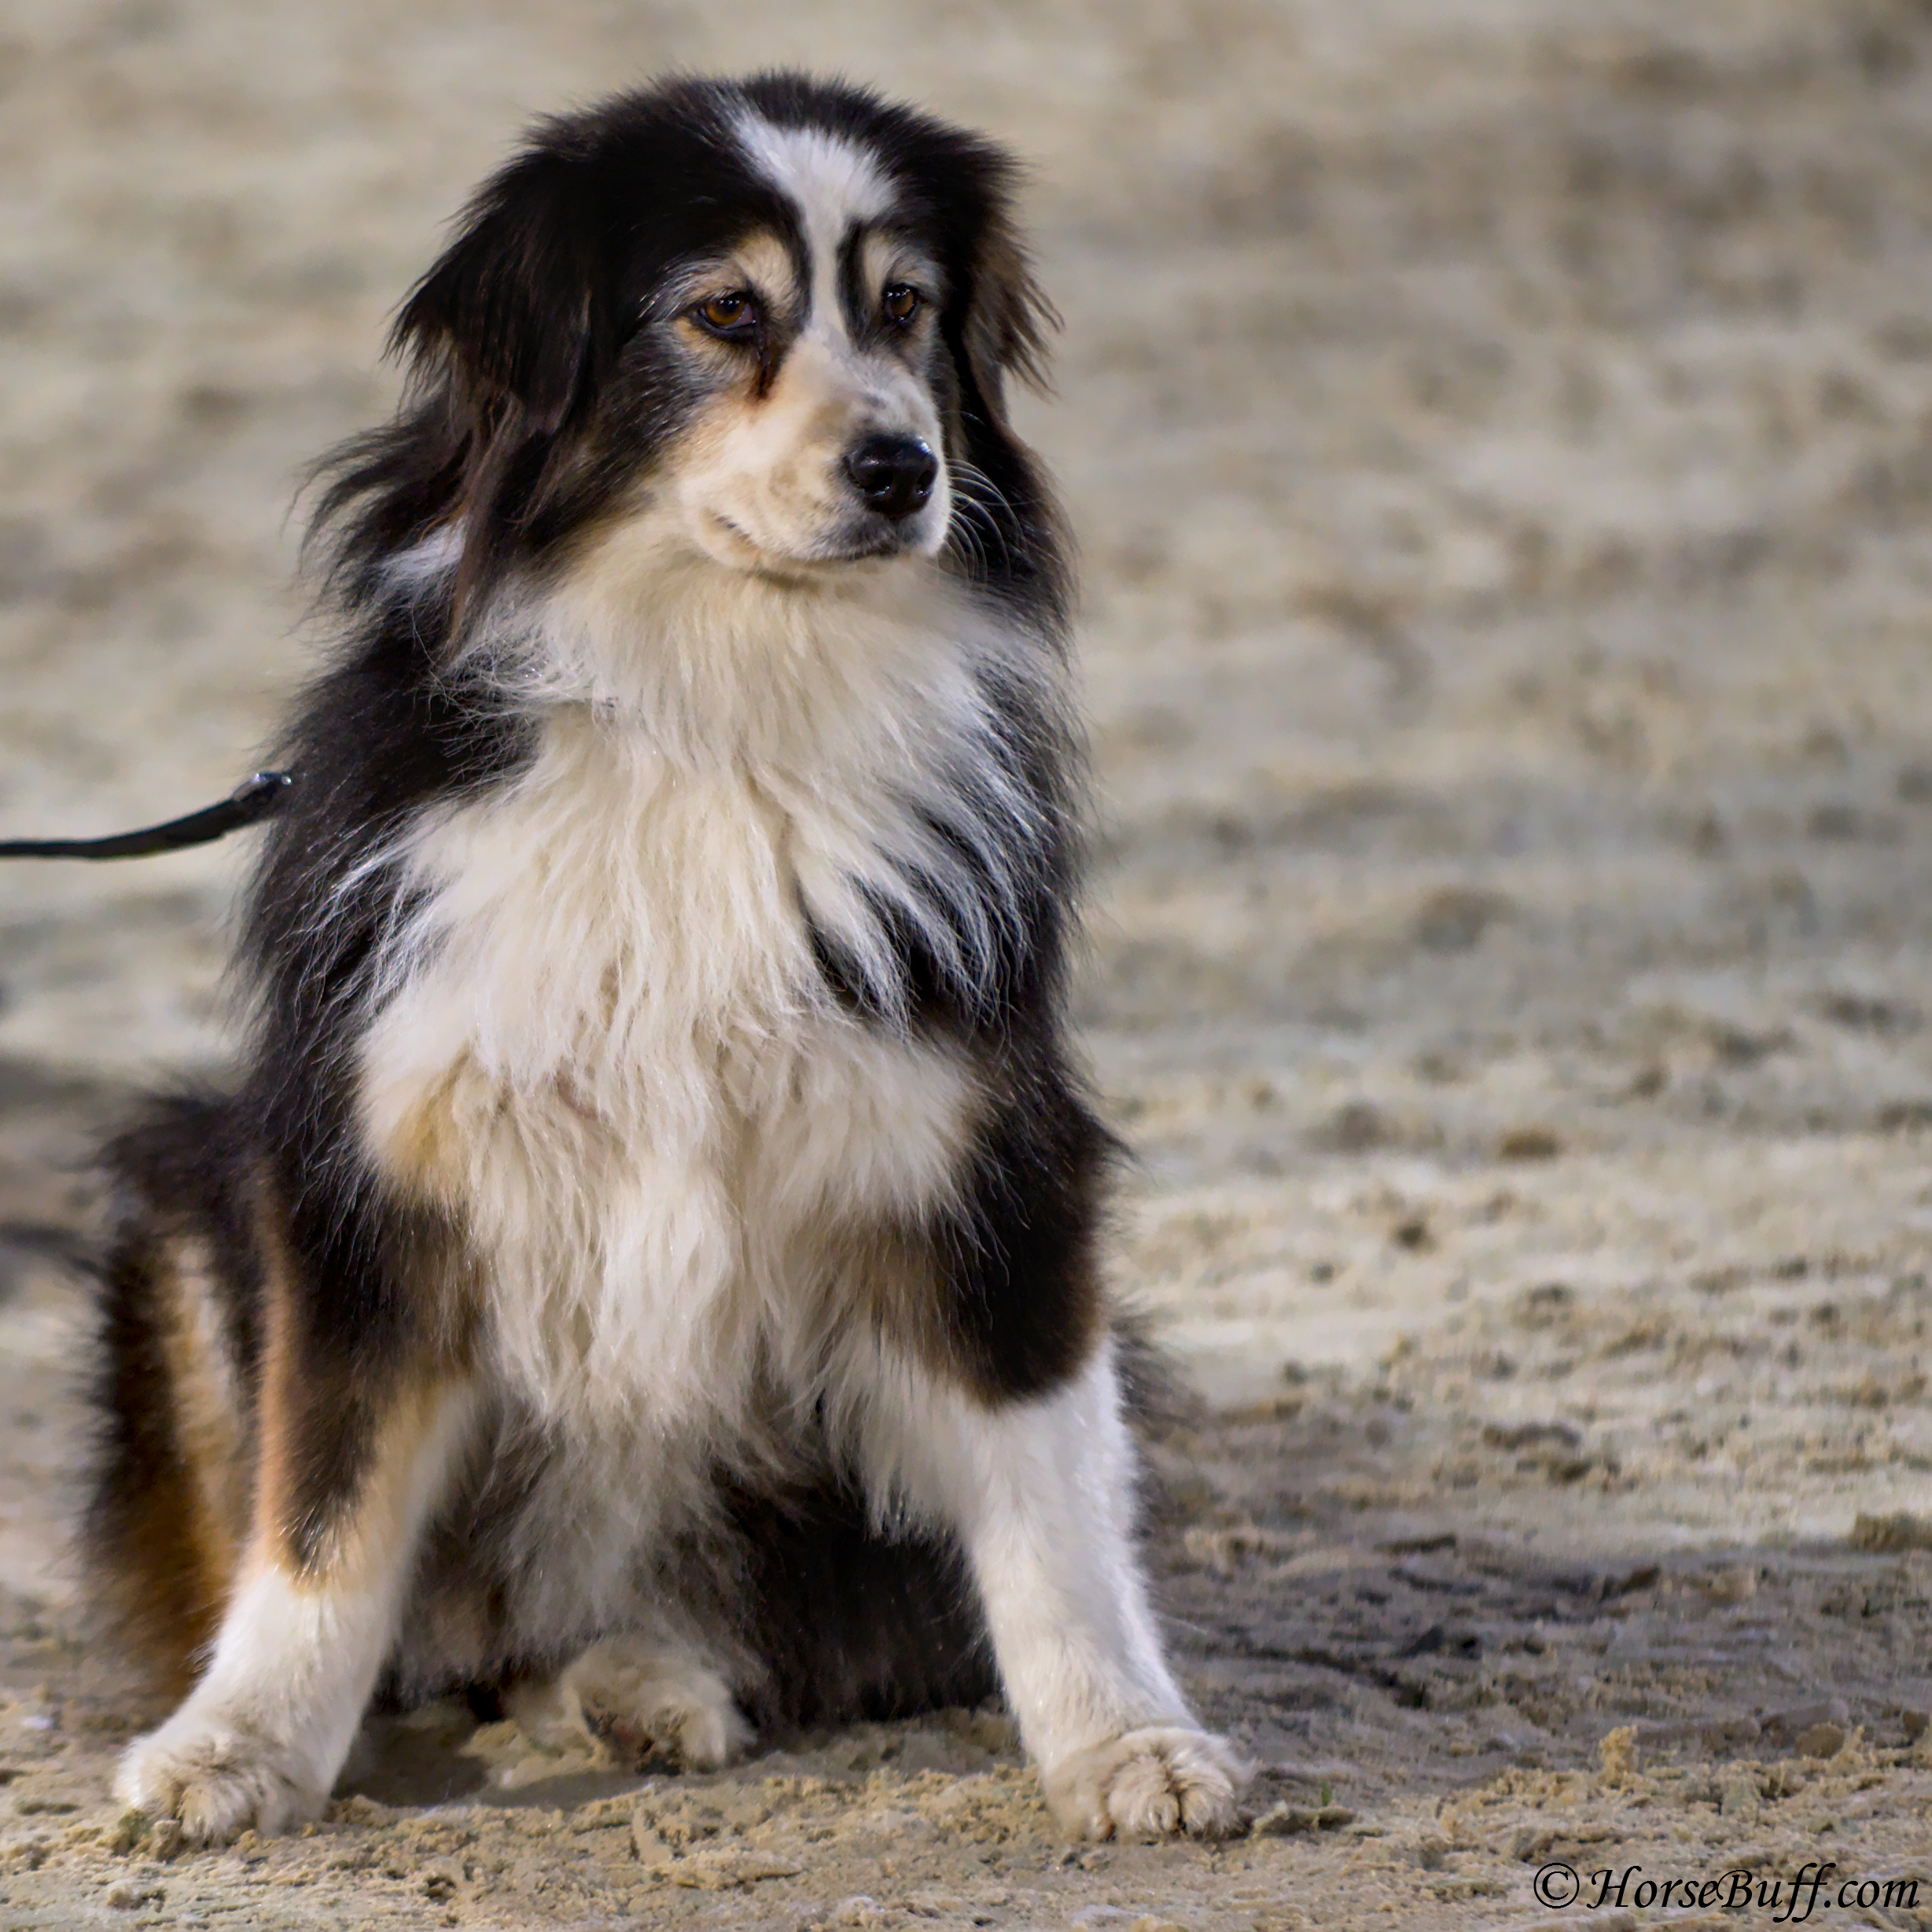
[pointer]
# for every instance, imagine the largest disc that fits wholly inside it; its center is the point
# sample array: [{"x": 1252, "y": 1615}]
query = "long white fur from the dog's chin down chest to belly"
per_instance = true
[{"x": 610, "y": 996}]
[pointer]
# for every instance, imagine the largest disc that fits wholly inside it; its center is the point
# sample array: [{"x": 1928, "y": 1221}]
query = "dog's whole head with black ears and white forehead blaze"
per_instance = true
[{"x": 768, "y": 324}]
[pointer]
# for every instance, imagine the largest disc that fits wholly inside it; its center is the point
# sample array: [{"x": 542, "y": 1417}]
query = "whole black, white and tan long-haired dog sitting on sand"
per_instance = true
[{"x": 650, "y": 1266}]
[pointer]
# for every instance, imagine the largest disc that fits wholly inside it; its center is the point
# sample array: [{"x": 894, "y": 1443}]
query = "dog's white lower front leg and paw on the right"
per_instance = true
[{"x": 1042, "y": 1496}]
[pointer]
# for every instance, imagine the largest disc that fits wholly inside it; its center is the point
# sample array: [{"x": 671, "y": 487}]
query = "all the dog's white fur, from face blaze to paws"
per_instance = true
[{"x": 600, "y": 1035}]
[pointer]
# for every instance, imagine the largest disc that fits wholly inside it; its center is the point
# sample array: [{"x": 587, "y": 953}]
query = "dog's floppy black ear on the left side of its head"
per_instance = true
[{"x": 511, "y": 306}]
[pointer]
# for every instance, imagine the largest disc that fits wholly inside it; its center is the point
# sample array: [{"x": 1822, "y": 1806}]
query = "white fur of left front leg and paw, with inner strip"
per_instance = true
[{"x": 266, "y": 1732}]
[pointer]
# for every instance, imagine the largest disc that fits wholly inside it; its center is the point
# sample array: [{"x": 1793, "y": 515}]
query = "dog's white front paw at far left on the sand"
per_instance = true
[{"x": 217, "y": 1780}]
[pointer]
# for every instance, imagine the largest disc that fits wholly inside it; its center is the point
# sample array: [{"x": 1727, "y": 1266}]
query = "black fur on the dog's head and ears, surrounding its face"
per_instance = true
[{"x": 536, "y": 395}]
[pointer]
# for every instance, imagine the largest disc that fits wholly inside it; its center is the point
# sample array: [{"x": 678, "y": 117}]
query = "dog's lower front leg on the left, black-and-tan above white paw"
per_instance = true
[{"x": 345, "y": 1483}]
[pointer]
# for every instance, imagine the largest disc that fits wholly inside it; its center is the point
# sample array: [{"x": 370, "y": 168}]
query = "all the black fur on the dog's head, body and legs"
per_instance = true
[{"x": 534, "y": 401}]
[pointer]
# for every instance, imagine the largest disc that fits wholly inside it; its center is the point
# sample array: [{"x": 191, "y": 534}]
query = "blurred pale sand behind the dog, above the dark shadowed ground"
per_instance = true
[{"x": 1500, "y": 436}]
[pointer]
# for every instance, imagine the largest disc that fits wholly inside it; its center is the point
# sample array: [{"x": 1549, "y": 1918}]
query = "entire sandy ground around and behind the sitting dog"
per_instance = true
[{"x": 1502, "y": 440}]
